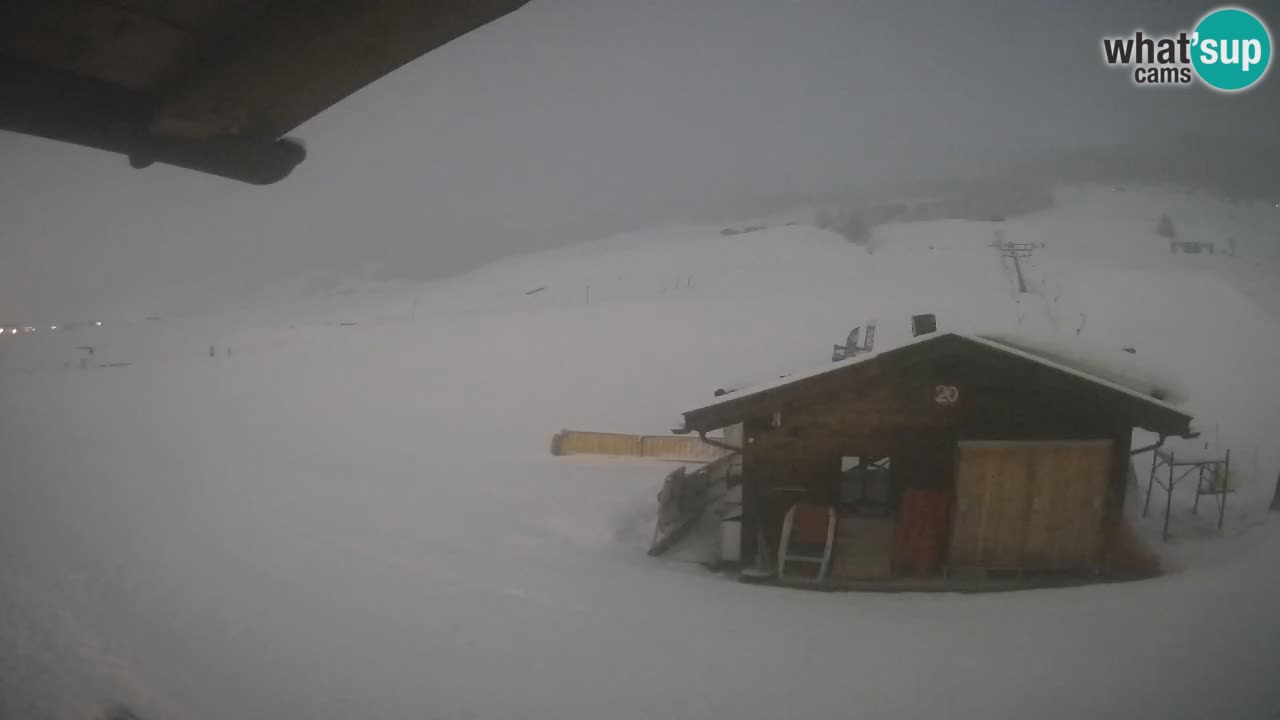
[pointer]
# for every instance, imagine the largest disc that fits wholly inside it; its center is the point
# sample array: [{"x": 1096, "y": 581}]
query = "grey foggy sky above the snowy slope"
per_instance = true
[{"x": 573, "y": 120}]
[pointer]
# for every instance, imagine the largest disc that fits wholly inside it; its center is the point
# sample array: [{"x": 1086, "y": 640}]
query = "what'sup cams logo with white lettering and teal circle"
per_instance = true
[{"x": 1229, "y": 51}]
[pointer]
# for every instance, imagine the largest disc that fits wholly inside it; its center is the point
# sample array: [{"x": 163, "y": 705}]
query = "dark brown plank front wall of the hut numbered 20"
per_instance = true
[{"x": 916, "y": 416}]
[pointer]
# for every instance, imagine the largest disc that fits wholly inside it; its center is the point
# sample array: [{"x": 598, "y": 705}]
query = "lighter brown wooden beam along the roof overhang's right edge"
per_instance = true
[{"x": 286, "y": 62}]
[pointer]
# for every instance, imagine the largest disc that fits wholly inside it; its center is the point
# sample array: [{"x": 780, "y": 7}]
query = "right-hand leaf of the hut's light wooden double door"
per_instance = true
[{"x": 1069, "y": 490}]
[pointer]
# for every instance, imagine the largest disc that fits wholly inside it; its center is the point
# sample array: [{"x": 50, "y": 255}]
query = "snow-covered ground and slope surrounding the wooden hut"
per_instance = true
[{"x": 363, "y": 521}]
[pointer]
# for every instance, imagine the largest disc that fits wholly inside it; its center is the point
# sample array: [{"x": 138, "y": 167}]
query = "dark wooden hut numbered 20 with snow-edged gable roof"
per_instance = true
[{"x": 952, "y": 457}]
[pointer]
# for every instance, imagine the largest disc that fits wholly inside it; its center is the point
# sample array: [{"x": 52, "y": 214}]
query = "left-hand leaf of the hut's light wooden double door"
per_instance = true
[{"x": 993, "y": 498}]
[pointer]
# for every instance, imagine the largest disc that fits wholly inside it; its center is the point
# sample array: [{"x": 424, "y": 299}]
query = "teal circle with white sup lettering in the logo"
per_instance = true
[{"x": 1231, "y": 49}]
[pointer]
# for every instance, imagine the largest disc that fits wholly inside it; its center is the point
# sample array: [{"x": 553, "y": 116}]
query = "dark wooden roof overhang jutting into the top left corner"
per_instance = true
[{"x": 208, "y": 85}]
